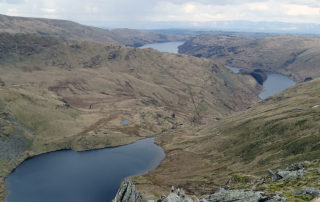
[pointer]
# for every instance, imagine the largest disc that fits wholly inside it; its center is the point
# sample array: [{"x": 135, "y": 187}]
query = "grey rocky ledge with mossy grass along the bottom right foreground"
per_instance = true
[{"x": 298, "y": 182}]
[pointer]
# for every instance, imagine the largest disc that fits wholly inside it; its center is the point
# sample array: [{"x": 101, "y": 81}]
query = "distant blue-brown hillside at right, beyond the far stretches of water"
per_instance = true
[{"x": 295, "y": 56}]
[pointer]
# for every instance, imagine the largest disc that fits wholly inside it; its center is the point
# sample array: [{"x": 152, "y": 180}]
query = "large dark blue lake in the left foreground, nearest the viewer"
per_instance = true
[{"x": 90, "y": 176}]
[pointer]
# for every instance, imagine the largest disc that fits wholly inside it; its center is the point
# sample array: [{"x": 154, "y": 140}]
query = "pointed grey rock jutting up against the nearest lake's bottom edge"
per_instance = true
[{"x": 128, "y": 193}]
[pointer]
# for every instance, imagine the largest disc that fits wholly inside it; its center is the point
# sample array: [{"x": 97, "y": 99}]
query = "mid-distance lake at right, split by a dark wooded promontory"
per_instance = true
[{"x": 274, "y": 84}]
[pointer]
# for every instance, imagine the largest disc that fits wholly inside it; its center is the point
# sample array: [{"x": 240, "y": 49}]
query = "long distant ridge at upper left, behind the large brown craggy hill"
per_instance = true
[{"x": 67, "y": 30}]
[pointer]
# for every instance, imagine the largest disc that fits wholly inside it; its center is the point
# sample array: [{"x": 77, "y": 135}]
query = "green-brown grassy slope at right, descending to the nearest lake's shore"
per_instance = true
[{"x": 277, "y": 132}]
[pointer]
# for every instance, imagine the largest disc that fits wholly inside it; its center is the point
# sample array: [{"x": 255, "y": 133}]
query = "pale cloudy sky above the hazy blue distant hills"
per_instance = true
[{"x": 135, "y": 13}]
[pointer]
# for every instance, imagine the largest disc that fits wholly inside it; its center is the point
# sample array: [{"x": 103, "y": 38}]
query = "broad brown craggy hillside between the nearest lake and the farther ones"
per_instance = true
[{"x": 60, "y": 95}]
